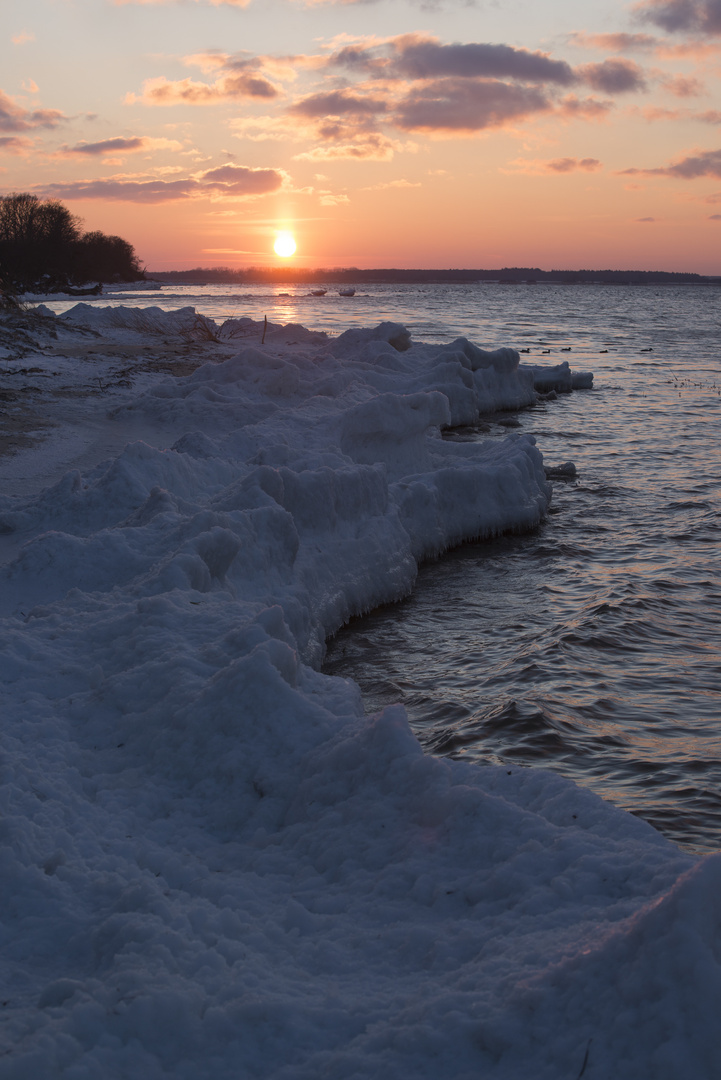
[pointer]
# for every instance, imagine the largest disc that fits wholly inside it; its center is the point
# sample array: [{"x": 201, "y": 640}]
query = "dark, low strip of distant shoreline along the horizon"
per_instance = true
[{"x": 509, "y": 276}]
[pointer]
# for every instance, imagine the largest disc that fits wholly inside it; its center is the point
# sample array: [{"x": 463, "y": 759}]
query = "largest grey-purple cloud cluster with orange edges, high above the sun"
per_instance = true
[{"x": 365, "y": 88}]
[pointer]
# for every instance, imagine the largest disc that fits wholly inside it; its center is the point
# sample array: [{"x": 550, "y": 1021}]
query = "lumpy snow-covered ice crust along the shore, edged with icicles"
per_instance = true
[{"x": 214, "y": 865}]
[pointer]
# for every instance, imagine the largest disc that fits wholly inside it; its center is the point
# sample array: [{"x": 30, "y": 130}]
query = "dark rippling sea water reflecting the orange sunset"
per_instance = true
[{"x": 592, "y": 647}]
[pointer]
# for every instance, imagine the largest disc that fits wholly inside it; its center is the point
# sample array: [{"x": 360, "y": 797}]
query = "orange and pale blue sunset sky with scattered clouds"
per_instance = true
[{"x": 459, "y": 133}]
